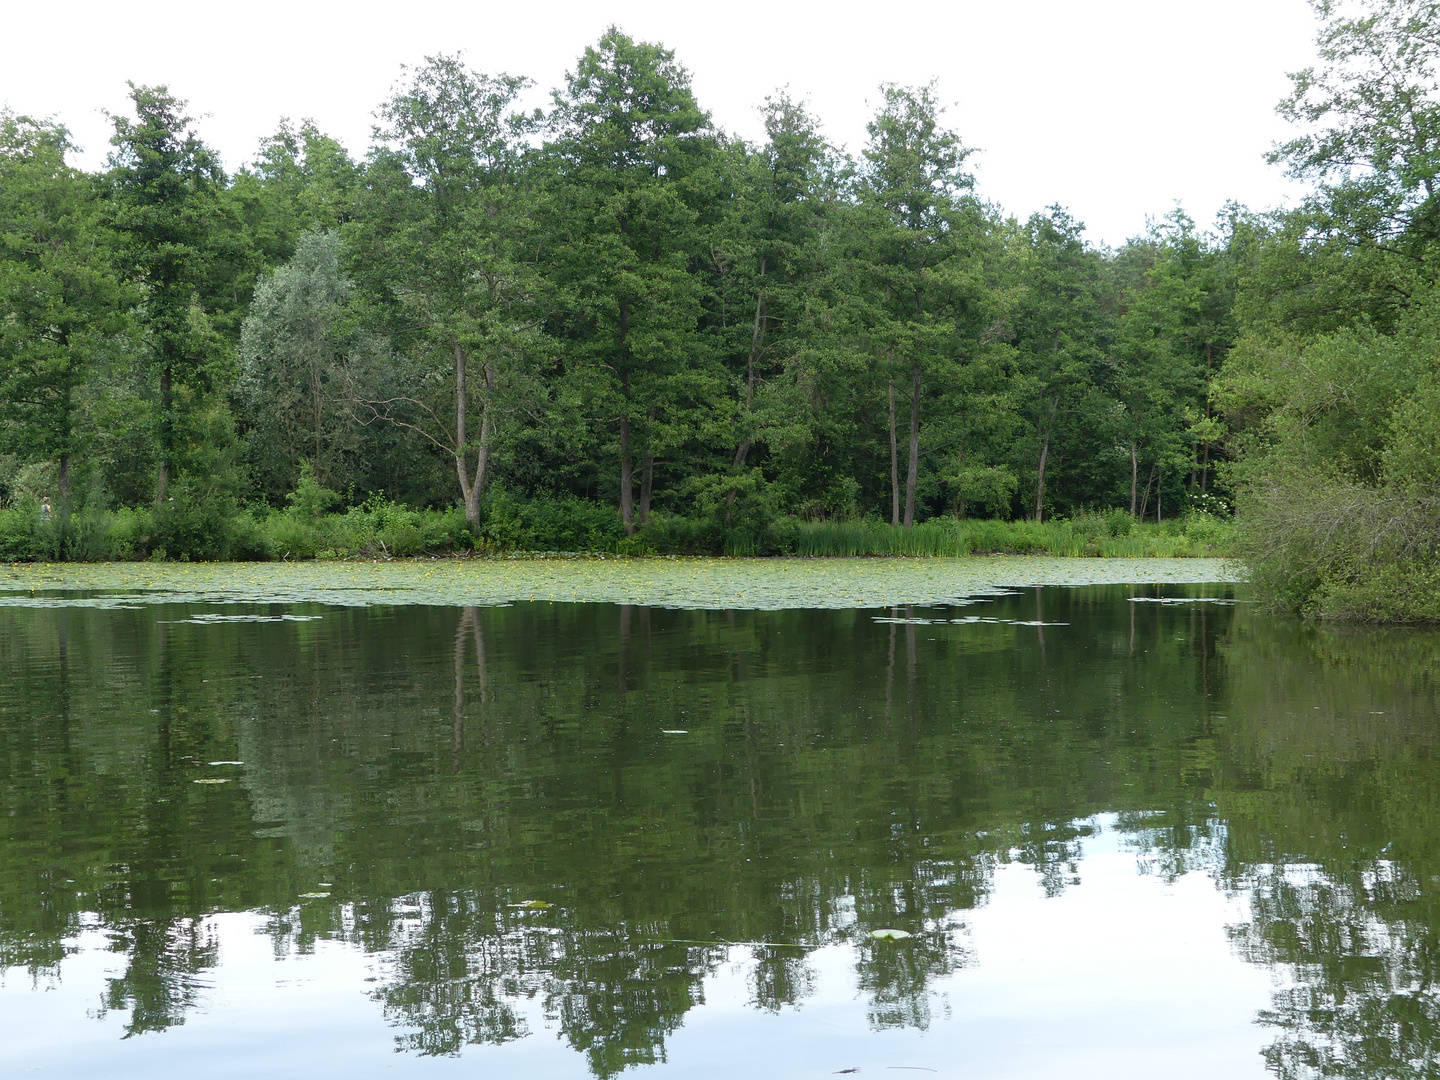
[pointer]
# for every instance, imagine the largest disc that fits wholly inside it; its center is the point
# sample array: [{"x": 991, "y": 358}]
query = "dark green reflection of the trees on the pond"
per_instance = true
[{"x": 578, "y": 817}]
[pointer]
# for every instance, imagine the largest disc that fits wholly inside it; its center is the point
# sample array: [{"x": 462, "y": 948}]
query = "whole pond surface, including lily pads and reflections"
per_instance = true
[{"x": 401, "y": 826}]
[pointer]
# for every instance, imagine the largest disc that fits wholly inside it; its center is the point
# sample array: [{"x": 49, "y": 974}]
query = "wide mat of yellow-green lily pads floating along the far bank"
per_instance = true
[{"x": 716, "y": 584}]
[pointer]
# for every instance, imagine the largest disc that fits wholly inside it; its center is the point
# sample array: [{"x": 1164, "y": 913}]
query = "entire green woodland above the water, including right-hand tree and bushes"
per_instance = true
[{"x": 613, "y": 326}]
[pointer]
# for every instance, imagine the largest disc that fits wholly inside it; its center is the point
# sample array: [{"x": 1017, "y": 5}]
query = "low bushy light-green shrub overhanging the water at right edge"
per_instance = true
[{"x": 1341, "y": 467}]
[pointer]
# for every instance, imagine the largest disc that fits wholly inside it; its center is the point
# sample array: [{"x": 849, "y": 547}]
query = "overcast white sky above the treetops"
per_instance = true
[{"x": 1114, "y": 109}]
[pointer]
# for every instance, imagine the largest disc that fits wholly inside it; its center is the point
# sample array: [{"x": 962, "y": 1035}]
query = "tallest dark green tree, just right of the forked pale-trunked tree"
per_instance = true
[{"x": 630, "y": 166}]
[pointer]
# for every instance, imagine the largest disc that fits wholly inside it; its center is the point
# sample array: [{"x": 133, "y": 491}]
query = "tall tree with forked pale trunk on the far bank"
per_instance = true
[{"x": 441, "y": 246}]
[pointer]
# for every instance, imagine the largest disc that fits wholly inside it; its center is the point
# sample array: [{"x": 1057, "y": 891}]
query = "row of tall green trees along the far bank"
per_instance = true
[{"x": 608, "y": 300}]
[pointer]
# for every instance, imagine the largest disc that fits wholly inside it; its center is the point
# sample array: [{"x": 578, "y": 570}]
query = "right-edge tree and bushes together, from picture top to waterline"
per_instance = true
[{"x": 1331, "y": 391}]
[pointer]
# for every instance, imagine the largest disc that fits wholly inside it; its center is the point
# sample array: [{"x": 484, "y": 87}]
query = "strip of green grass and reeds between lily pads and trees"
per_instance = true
[{"x": 382, "y": 531}]
